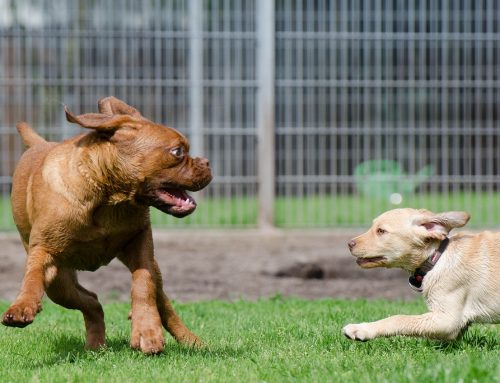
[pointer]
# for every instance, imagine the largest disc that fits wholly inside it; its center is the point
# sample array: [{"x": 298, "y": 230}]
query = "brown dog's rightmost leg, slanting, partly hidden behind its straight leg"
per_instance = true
[{"x": 169, "y": 318}]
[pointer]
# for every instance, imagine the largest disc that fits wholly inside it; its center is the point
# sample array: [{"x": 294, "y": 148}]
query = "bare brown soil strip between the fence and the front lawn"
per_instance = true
[{"x": 203, "y": 265}]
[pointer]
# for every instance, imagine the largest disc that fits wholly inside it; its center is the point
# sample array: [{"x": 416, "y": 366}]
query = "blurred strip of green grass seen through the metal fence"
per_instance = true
[{"x": 315, "y": 211}]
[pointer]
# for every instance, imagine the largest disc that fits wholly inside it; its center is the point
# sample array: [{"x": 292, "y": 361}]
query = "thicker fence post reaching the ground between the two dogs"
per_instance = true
[{"x": 265, "y": 112}]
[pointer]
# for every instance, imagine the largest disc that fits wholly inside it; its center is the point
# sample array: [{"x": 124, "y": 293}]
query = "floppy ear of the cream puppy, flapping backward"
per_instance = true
[{"x": 439, "y": 225}]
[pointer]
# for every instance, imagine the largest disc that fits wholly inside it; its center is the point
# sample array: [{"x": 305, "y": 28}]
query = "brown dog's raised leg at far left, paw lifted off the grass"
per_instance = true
[{"x": 27, "y": 304}]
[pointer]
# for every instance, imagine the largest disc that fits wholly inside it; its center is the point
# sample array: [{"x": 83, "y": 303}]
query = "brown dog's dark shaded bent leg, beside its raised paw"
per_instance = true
[{"x": 65, "y": 290}]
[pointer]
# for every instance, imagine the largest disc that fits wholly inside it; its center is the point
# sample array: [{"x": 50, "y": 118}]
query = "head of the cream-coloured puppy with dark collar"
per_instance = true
[{"x": 404, "y": 238}]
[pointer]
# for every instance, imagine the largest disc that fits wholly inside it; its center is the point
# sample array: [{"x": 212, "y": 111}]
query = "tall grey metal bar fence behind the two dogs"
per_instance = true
[{"x": 312, "y": 113}]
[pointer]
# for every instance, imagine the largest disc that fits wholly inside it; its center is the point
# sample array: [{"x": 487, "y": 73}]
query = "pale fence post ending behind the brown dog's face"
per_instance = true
[{"x": 196, "y": 76}]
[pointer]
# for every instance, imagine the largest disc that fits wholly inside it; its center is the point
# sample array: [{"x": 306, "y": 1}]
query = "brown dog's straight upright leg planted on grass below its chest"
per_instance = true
[{"x": 147, "y": 331}]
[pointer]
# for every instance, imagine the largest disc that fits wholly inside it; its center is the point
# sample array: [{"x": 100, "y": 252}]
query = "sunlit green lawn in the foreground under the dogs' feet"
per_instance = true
[{"x": 273, "y": 340}]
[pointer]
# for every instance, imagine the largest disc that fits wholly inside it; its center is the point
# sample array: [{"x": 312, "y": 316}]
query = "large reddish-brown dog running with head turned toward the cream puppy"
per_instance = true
[{"x": 80, "y": 203}]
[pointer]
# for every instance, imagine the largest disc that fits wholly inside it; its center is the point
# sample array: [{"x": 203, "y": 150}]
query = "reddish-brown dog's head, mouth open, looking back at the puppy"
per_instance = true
[{"x": 148, "y": 162}]
